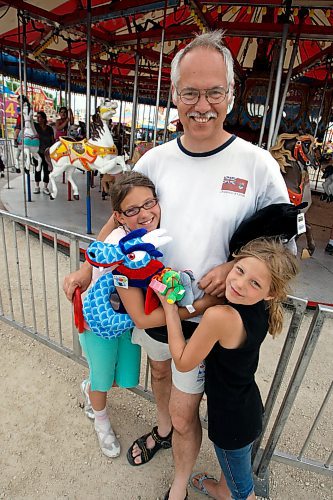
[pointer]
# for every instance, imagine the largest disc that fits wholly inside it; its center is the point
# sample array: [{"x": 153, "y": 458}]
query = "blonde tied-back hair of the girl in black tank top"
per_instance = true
[{"x": 282, "y": 265}]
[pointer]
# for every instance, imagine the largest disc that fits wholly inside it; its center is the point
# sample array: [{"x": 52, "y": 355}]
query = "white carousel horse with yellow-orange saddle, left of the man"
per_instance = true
[{"x": 97, "y": 153}]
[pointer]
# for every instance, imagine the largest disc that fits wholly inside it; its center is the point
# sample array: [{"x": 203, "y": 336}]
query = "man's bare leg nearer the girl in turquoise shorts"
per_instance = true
[{"x": 161, "y": 386}]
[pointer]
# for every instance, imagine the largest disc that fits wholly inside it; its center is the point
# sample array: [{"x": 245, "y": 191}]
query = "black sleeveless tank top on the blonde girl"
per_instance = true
[{"x": 234, "y": 403}]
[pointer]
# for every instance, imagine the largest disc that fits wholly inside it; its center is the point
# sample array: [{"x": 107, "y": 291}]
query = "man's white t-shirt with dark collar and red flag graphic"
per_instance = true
[{"x": 205, "y": 196}]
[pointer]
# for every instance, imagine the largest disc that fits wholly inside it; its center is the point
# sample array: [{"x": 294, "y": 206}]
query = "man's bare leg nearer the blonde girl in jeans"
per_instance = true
[{"x": 186, "y": 438}]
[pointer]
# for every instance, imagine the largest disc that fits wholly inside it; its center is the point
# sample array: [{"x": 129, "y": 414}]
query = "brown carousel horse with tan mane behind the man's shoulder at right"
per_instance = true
[{"x": 294, "y": 153}]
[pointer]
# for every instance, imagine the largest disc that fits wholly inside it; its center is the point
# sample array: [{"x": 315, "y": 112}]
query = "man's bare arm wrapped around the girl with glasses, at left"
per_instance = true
[{"x": 82, "y": 277}]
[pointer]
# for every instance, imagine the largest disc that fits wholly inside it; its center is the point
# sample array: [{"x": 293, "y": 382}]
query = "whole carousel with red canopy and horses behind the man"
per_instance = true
[{"x": 122, "y": 51}]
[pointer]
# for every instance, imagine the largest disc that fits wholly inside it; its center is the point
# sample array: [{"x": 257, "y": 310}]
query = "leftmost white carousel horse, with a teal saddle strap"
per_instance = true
[{"x": 31, "y": 141}]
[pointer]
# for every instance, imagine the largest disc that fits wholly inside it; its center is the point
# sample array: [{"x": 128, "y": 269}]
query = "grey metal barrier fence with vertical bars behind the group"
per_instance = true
[{"x": 35, "y": 259}]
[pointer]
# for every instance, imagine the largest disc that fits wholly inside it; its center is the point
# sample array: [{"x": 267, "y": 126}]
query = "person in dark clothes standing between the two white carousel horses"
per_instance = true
[{"x": 46, "y": 139}]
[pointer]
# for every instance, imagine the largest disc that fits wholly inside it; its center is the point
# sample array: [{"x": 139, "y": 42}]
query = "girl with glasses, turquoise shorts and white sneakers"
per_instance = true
[{"x": 135, "y": 206}]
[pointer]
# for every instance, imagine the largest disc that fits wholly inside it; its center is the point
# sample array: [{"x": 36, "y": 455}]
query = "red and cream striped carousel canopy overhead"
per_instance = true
[{"x": 53, "y": 34}]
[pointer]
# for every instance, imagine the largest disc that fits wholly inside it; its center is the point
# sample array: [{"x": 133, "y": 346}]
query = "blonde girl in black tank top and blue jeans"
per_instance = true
[{"x": 229, "y": 337}]
